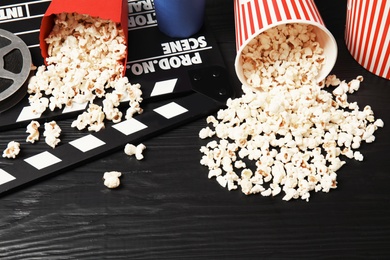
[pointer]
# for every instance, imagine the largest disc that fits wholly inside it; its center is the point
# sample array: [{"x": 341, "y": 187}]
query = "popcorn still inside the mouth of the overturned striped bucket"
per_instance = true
[{"x": 285, "y": 54}]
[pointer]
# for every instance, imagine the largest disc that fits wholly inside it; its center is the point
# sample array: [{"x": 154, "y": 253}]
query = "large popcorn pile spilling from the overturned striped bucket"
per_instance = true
[{"x": 286, "y": 133}]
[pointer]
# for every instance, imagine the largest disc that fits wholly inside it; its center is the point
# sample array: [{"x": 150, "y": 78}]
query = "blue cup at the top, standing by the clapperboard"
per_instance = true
[{"x": 179, "y": 18}]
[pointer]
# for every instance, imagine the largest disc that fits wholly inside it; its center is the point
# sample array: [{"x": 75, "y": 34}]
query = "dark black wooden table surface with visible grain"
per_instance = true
[{"x": 167, "y": 208}]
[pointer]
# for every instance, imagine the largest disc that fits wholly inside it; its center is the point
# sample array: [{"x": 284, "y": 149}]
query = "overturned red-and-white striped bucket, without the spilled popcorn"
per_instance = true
[{"x": 252, "y": 17}]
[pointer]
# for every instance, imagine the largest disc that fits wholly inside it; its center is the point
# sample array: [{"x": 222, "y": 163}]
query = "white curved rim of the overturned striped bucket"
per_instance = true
[{"x": 324, "y": 37}]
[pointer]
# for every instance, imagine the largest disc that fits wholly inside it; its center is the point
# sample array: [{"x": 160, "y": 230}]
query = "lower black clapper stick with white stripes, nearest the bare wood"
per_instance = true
[{"x": 94, "y": 145}]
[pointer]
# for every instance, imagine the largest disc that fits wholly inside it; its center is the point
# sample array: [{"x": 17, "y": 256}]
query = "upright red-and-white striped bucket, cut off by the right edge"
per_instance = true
[{"x": 367, "y": 34}]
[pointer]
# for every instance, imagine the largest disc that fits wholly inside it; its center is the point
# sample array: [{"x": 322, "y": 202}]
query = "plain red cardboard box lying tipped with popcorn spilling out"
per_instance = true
[{"x": 114, "y": 10}]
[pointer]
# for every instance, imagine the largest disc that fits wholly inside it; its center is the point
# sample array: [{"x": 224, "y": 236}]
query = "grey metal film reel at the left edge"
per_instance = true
[{"x": 15, "y": 67}]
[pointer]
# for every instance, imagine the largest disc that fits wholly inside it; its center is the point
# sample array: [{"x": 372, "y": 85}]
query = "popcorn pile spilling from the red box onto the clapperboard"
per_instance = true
[{"x": 85, "y": 62}]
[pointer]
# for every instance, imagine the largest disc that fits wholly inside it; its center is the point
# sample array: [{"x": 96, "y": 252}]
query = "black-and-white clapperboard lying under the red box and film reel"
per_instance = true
[{"x": 181, "y": 80}]
